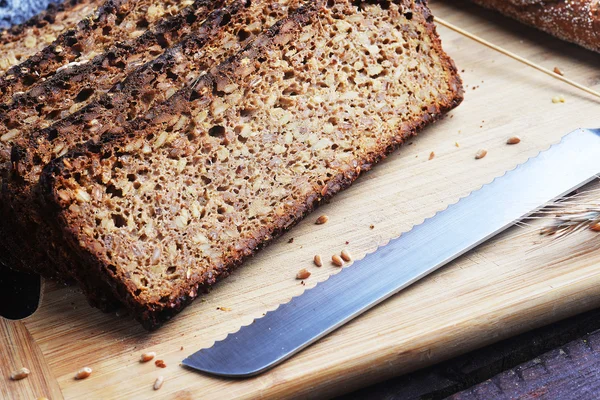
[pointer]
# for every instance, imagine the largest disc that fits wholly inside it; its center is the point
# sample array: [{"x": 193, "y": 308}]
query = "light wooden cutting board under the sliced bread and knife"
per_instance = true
[{"x": 513, "y": 283}]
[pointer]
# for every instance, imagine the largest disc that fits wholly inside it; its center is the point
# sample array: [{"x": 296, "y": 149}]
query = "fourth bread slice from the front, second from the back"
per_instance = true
[{"x": 113, "y": 22}]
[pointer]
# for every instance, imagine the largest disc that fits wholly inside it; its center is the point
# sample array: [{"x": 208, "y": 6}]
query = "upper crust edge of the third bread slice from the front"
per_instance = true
[{"x": 53, "y": 99}]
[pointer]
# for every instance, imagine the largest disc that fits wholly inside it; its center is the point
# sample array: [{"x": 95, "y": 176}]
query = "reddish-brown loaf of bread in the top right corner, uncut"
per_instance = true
[{"x": 576, "y": 21}]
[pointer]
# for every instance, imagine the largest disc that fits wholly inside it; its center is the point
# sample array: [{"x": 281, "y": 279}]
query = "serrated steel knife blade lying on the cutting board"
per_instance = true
[{"x": 440, "y": 239}]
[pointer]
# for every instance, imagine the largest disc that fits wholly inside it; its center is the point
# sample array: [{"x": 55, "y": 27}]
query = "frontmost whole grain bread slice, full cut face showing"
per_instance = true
[{"x": 181, "y": 196}]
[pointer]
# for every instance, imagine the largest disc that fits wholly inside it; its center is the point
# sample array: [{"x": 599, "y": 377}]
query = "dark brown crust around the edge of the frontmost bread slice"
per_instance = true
[{"x": 152, "y": 314}]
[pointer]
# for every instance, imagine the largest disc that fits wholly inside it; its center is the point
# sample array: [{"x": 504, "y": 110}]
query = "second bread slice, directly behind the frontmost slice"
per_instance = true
[{"x": 222, "y": 34}]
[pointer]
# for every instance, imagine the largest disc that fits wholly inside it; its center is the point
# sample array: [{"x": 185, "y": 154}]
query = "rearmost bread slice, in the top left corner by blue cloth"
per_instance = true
[{"x": 22, "y": 41}]
